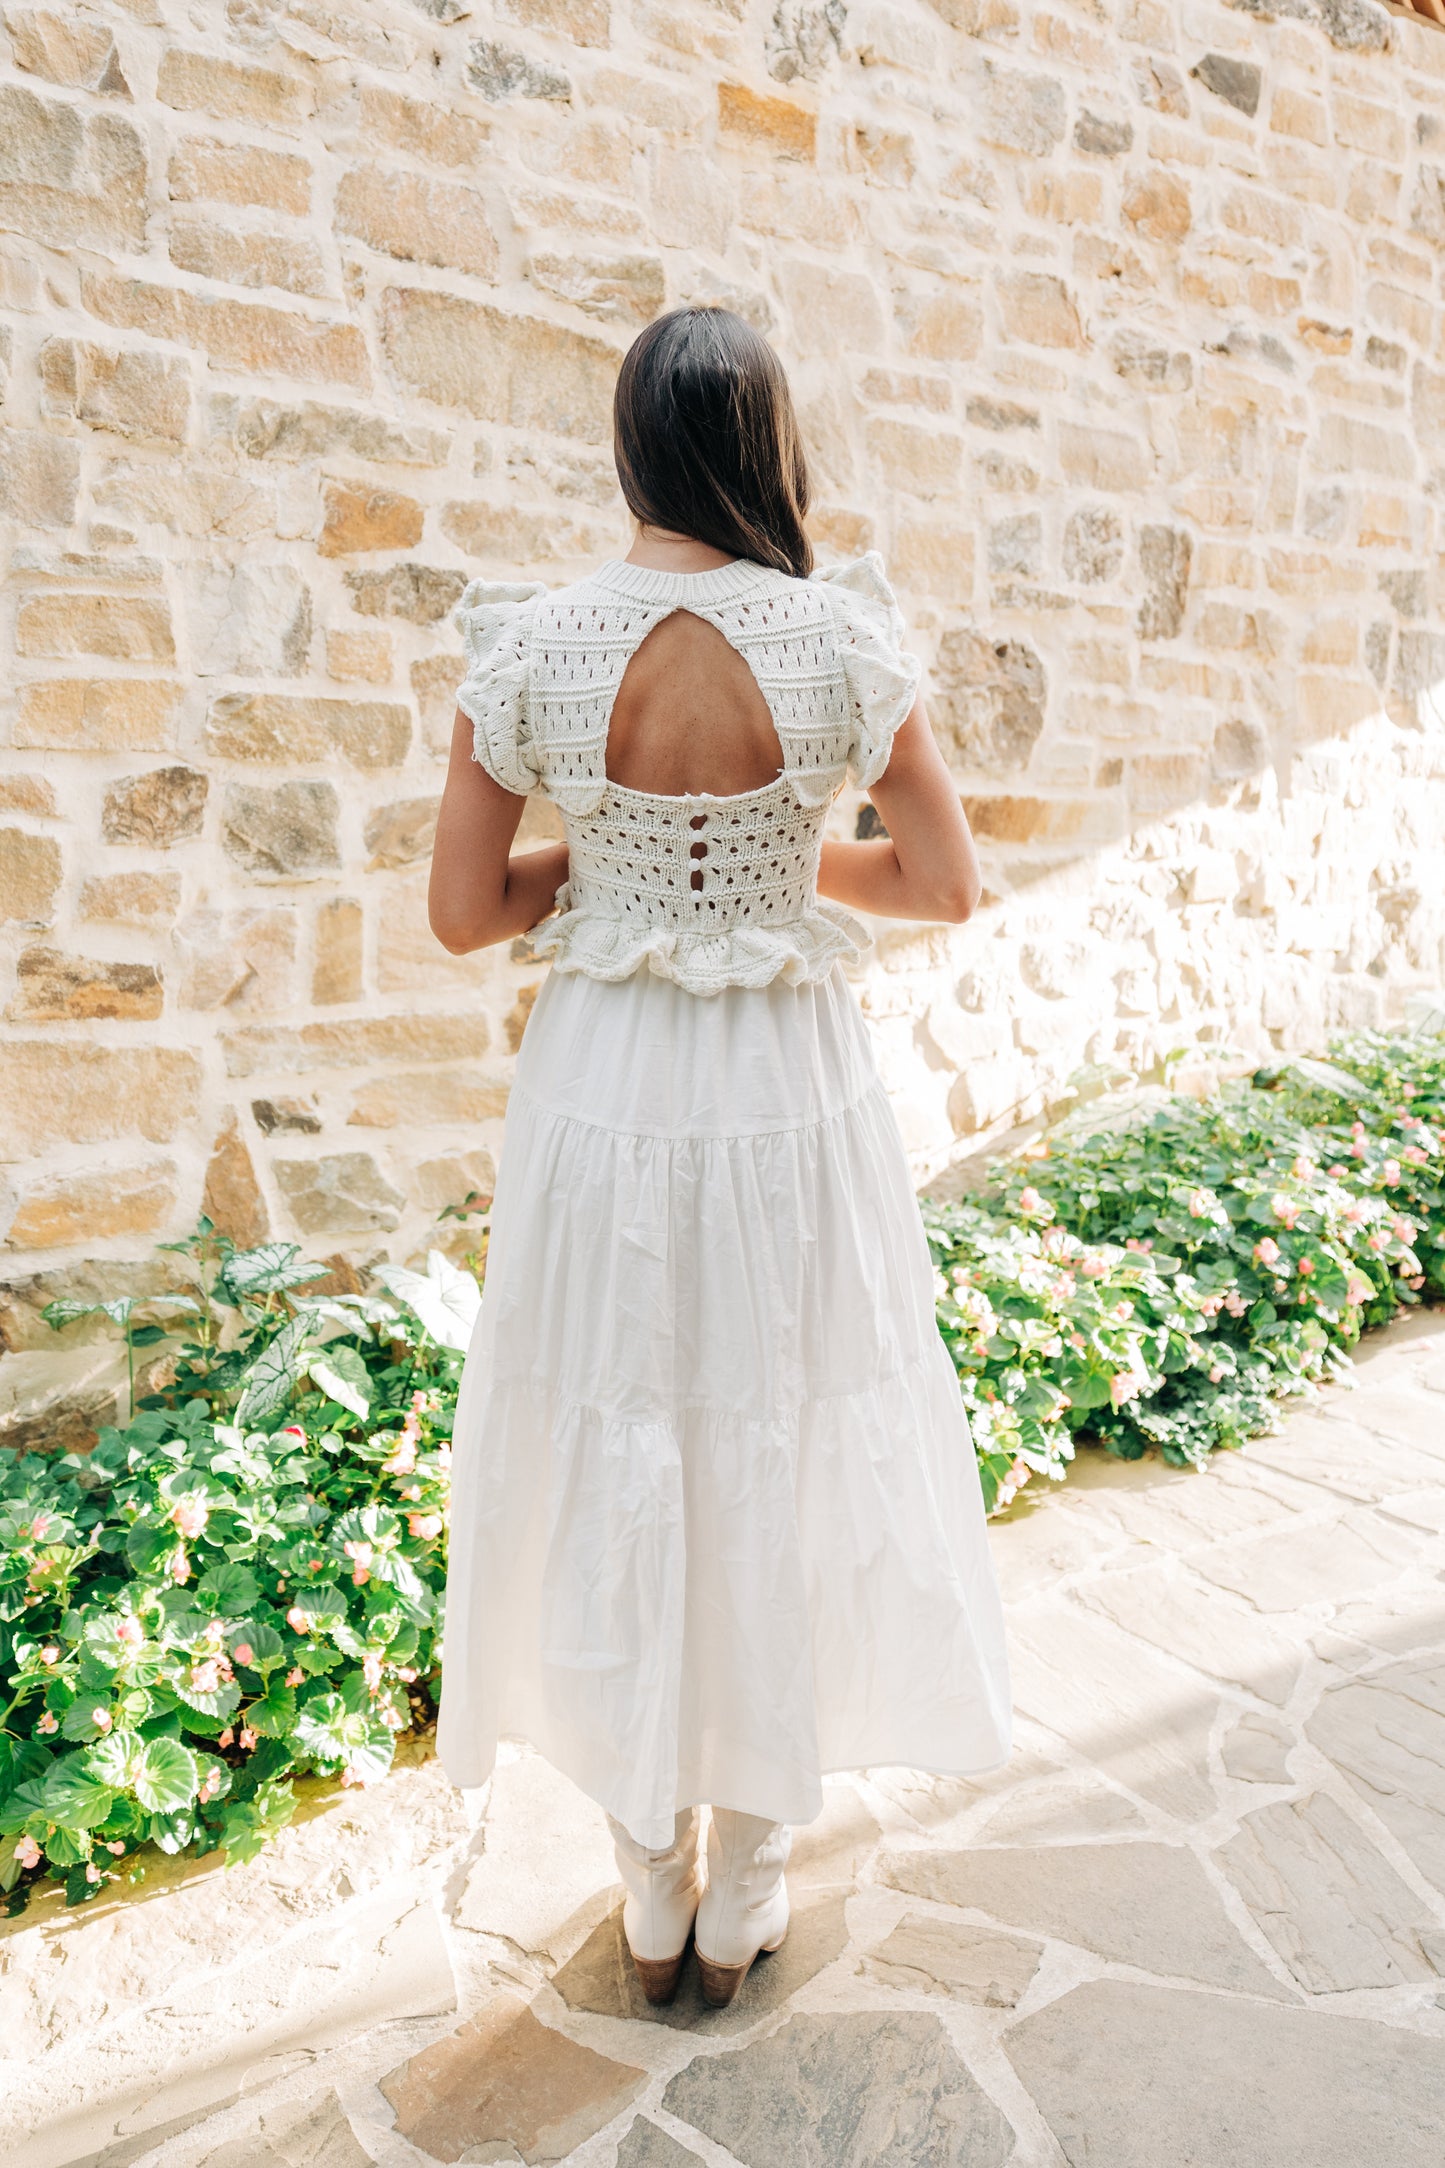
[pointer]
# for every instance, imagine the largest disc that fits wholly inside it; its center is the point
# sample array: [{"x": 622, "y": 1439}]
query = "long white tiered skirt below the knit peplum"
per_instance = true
[{"x": 716, "y": 1512}]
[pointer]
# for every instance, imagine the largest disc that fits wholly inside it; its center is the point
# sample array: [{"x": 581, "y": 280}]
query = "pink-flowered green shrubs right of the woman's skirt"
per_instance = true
[{"x": 1167, "y": 1280}]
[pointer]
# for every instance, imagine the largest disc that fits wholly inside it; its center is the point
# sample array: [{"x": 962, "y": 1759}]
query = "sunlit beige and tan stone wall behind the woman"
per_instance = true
[{"x": 1115, "y": 326}]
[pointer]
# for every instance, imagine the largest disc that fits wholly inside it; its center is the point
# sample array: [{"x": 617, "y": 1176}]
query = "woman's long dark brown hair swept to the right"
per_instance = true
[{"x": 707, "y": 443}]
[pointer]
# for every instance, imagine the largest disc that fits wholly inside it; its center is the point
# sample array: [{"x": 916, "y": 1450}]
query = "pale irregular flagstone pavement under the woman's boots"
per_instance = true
[{"x": 1199, "y": 1922}]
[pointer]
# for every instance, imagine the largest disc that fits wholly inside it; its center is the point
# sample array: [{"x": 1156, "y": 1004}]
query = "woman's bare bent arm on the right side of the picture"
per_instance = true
[{"x": 926, "y": 868}]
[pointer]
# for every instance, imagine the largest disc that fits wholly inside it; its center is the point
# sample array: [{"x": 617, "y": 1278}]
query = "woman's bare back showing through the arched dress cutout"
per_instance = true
[{"x": 690, "y": 717}]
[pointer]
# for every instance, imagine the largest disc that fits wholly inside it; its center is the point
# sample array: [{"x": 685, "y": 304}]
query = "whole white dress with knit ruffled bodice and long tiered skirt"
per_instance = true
[{"x": 716, "y": 1512}]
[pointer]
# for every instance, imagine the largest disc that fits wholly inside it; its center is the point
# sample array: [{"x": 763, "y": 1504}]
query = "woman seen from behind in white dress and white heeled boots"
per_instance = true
[{"x": 718, "y": 1521}]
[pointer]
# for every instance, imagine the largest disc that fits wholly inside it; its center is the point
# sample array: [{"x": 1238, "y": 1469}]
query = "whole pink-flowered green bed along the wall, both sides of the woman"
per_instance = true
[{"x": 244, "y": 1584}]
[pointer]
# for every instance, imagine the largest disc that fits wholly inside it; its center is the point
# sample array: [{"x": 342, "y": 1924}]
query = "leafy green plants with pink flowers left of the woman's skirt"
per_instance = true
[{"x": 237, "y": 1588}]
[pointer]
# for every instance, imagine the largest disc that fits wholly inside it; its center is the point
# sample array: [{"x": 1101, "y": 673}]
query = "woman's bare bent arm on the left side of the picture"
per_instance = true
[{"x": 480, "y": 892}]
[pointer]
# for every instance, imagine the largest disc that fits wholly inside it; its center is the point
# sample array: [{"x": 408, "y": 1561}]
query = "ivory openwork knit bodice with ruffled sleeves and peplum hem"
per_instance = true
[{"x": 703, "y": 890}]
